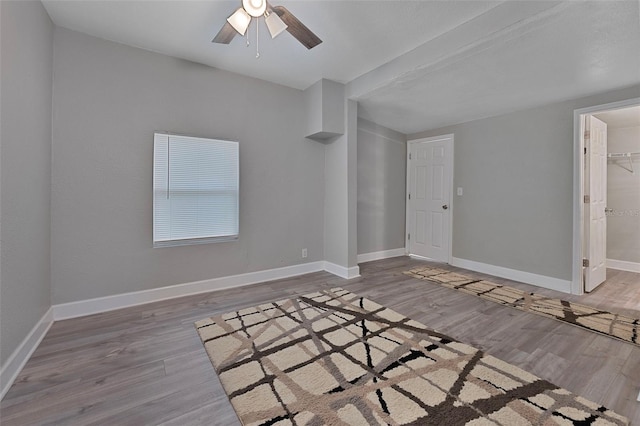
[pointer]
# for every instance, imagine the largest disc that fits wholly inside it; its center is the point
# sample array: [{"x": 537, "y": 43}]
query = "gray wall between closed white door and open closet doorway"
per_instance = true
[{"x": 517, "y": 174}]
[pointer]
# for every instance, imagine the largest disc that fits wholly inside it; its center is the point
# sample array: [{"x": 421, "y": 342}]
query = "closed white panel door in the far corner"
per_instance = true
[{"x": 429, "y": 198}]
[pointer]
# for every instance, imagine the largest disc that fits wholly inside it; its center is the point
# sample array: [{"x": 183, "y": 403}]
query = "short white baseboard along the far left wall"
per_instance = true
[{"x": 23, "y": 352}]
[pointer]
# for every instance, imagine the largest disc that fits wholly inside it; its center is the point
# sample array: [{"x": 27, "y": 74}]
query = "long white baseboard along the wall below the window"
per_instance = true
[{"x": 118, "y": 301}]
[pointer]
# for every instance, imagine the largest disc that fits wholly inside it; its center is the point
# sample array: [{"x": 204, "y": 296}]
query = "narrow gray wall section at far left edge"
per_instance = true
[{"x": 25, "y": 150}]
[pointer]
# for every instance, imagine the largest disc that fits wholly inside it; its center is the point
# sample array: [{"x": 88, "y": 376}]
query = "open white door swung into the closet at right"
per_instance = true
[{"x": 594, "y": 211}]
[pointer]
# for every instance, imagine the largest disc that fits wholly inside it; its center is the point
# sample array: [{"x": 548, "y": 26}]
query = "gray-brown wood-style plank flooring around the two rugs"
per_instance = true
[{"x": 146, "y": 365}]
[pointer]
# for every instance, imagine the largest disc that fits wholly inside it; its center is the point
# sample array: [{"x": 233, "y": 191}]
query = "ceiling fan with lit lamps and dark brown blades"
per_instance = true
[{"x": 277, "y": 18}]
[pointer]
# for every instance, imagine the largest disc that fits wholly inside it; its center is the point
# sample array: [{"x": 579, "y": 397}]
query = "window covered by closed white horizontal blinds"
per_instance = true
[{"x": 195, "y": 190}]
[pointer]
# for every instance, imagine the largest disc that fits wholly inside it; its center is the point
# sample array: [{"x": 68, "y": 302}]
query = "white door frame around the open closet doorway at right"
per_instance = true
[{"x": 577, "y": 280}]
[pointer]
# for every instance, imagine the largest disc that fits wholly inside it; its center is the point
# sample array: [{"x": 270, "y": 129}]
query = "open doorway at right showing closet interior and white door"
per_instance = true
[{"x": 606, "y": 192}]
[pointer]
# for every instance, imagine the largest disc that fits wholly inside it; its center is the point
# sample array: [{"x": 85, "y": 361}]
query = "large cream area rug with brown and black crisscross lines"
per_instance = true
[{"x": 334, "y": 358}]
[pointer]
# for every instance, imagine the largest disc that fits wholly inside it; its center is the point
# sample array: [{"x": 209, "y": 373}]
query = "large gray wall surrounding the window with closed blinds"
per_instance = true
[{"x": 108, "y": 100}]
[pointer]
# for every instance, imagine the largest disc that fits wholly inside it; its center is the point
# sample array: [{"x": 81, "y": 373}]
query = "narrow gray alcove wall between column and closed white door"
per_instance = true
[{"x": 382, "y": 178}]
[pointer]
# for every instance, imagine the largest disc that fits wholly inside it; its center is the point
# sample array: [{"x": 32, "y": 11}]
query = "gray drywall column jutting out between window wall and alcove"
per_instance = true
[{"x": 340, "y": 219}]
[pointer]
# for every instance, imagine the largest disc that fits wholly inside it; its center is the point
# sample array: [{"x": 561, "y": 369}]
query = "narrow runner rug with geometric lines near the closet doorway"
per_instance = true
[{"x": 615, "y": 325}]
